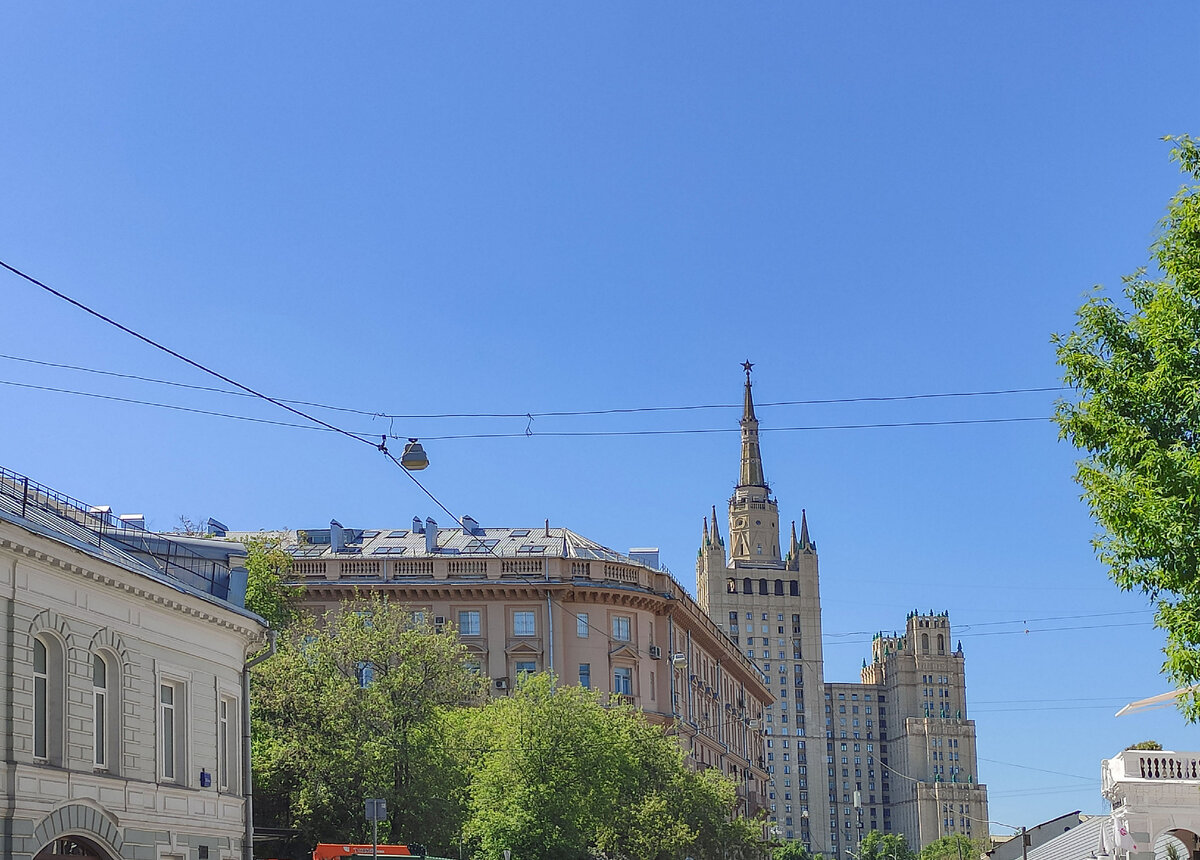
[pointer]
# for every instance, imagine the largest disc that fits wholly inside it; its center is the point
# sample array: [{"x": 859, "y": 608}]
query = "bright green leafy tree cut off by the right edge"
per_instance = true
[{"x": 1137, "y": 369}]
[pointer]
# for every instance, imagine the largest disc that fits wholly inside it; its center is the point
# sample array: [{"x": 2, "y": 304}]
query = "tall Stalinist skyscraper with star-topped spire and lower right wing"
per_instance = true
[{"x": 893, "y": 753}]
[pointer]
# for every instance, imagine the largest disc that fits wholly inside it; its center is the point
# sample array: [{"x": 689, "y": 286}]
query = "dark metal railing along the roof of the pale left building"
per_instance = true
[{"x": 98, "y": 527}]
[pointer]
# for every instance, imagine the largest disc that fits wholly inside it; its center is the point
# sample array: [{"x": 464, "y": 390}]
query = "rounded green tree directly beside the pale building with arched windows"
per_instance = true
[{"x": 361, "y": 706}]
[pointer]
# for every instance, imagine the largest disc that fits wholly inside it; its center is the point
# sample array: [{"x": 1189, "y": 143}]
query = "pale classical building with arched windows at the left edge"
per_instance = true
[{"x": 124, "y": 658}]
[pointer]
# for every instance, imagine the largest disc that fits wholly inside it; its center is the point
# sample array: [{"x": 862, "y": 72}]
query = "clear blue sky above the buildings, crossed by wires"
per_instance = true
[{"x": 500, "y": 208}]
